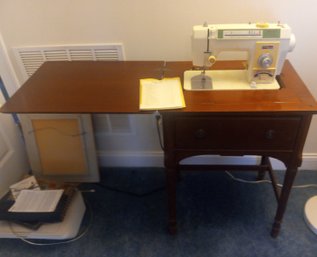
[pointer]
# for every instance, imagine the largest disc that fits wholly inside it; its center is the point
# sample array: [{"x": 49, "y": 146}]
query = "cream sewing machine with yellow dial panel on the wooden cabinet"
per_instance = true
[{"x": 264, "y": 45}]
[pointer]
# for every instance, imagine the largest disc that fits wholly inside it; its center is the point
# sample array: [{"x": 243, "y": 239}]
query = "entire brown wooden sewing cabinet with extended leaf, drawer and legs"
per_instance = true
[{"x": 266, "y": 123}]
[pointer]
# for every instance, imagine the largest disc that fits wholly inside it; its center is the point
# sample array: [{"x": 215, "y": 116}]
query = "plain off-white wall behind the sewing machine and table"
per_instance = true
[{"x": 156, "y": 30}]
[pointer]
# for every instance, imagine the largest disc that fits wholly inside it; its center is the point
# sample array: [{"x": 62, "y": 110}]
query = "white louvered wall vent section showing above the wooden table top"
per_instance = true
[{"x": 31, "y": 58}]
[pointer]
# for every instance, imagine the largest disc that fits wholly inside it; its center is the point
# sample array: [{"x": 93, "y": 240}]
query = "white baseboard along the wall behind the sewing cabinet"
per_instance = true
[{"x": 156, "y": 159}]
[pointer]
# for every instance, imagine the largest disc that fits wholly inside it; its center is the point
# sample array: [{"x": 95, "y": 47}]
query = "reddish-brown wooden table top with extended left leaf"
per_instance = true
[{"x": 113, "y": 87}]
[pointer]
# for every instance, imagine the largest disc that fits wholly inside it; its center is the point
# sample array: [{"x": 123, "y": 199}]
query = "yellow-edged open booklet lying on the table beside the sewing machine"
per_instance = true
[{"x": 161, "y": 94}]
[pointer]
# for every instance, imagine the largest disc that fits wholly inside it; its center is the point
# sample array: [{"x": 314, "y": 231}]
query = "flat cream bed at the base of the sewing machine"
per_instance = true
[{"x": 226, "y": 80}]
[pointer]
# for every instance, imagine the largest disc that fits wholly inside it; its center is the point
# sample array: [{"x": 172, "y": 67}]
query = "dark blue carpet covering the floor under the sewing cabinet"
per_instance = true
[{"x": 216, "y": 217}]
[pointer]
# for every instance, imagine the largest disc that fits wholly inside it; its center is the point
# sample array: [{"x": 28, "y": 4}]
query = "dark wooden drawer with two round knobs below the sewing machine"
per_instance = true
[{"x": 236, "y": 133}]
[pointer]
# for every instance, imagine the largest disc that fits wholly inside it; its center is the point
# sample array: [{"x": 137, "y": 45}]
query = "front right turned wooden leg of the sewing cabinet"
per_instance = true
[{"x": 282, "y": 203}]
